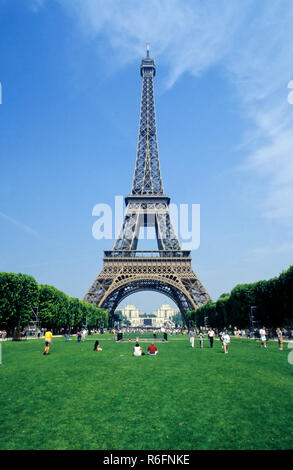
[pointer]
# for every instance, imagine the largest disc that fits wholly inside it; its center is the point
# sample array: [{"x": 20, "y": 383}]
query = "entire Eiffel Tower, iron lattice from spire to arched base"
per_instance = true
[{"x": 127, "y": 270}]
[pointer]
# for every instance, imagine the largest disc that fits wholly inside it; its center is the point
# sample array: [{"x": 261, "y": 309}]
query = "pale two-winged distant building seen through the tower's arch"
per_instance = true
[{"x": 161, "y": 317}]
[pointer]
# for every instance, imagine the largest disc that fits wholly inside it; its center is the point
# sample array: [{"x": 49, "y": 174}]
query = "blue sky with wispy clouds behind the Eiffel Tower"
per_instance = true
[{"x": 71, "y": 87}]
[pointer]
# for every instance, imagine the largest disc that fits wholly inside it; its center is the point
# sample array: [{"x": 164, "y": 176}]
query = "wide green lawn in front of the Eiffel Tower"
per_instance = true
[{"x": 183, "y": 398}]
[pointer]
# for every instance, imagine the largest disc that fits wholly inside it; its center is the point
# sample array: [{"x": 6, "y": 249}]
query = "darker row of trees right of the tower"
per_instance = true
[{"x": 272, "y": 301}]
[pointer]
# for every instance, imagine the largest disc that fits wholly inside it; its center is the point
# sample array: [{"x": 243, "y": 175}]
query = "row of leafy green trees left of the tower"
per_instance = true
[{"x": 20, "y": 294}]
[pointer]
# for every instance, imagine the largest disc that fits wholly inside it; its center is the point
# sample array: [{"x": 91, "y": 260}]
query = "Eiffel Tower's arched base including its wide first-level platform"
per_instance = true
[{"x": 169, "y": 273}]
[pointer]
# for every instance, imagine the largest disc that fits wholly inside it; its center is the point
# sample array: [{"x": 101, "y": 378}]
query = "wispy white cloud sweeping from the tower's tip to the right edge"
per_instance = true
[{"x": 251, "y": 40}]
